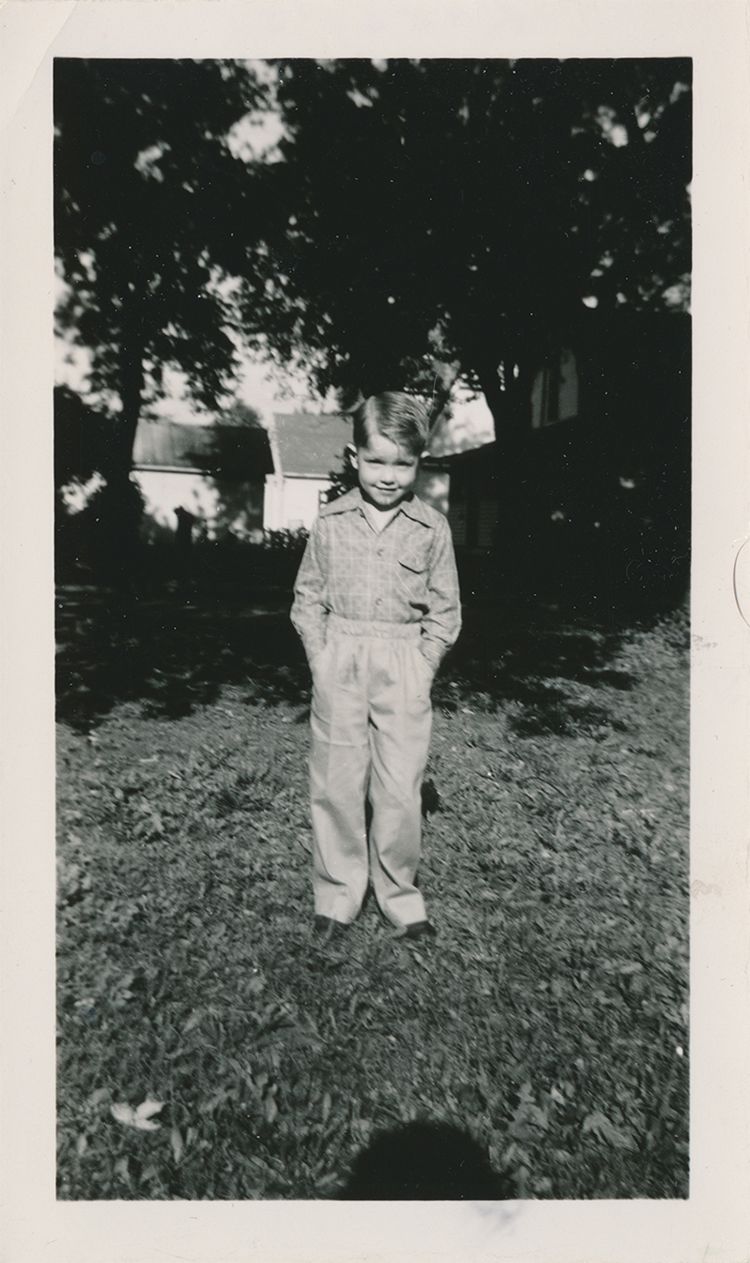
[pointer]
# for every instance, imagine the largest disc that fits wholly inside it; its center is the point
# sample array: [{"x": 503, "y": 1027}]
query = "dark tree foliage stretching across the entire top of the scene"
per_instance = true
[{"x": 419, "y": 219}]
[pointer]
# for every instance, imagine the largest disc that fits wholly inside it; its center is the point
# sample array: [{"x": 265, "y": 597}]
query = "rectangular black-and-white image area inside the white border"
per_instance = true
[{"x": 372, "y": 476}]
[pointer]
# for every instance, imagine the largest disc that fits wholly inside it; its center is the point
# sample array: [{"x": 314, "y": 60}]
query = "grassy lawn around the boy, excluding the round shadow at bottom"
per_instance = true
[{"x": 549, "y": 1020}]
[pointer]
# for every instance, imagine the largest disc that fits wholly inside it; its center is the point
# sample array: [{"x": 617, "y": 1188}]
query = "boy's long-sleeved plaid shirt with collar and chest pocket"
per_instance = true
[{"x": 406, "y": 574}]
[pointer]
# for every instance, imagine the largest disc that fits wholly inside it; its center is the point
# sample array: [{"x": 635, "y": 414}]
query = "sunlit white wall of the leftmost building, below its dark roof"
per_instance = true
[{"x": 224, "y": 507}]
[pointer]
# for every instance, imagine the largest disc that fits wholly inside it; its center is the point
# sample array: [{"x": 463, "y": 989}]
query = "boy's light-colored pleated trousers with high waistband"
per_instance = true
[{"x": 372, "y": 722}]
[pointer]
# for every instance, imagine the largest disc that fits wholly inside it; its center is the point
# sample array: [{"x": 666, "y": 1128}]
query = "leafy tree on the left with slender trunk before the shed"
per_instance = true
[{"x": 150, "y": 207}]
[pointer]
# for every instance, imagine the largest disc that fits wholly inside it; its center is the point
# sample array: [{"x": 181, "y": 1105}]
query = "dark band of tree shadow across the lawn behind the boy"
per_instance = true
[{"x": 175, "y": 657}]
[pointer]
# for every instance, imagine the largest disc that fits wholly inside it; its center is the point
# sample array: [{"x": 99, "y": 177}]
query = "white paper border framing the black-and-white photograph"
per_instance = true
[{"x": 713, "y": 1226}]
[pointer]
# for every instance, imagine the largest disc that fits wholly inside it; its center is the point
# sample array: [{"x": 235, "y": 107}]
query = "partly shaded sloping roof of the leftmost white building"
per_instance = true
[{"x": 235, "y": 452}]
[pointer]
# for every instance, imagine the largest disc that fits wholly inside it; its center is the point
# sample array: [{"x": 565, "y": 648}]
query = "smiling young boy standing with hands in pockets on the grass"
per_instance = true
[{"x": 377, "y": 606}]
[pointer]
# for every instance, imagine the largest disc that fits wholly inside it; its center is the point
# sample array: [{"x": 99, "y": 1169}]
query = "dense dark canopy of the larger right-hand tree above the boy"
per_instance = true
[{"x": 460, "y": 212}]
